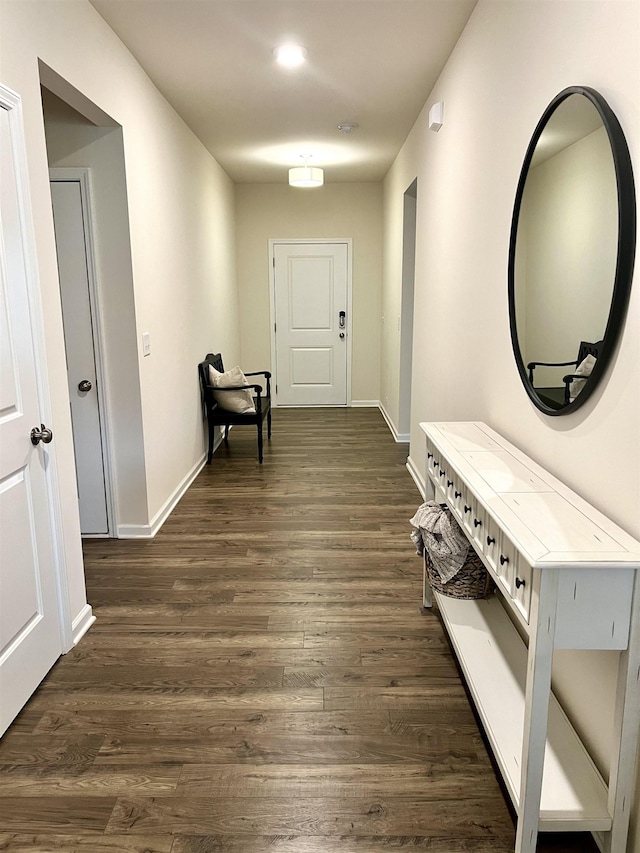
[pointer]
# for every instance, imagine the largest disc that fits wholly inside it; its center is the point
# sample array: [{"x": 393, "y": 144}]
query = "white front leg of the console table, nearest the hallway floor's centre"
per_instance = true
[{"x": 538, "y": 688}]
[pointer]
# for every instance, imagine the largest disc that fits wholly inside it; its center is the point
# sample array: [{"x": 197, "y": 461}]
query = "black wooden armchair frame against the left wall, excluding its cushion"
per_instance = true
[{"x": 218, "y": 416}]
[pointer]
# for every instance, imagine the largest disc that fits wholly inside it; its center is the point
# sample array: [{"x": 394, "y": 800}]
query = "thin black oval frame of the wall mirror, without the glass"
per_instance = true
[{"x": 625, "y": 251}]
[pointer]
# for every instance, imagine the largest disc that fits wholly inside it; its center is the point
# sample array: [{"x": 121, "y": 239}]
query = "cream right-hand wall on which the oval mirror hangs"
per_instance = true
[{"x": 511, "y": 60}]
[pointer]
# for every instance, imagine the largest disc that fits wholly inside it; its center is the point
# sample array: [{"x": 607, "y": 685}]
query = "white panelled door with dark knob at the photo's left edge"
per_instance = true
[{"x": 30, "y": 641}]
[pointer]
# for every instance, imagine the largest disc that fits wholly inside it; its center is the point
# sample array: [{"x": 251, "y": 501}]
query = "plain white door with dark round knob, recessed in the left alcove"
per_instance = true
[{"x": 70, "y": 214}]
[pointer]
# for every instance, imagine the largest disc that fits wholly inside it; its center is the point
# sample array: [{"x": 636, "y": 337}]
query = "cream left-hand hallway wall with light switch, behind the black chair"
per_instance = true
[{"x": 181, "y": 216}]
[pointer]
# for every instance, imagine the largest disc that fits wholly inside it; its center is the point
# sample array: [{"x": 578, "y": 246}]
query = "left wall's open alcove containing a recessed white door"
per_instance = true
[{"x": 86, "y": 158}]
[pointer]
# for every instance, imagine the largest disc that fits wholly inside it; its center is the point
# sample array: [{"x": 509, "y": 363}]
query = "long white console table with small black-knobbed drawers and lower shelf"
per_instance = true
[{"x": 565, "y": 576}]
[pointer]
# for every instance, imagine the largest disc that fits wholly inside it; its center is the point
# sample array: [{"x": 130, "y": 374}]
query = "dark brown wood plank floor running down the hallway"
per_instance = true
[{"x": 261, "y": 677}]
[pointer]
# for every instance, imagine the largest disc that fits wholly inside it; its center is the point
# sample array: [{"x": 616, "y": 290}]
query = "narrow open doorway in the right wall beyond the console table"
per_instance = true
[{"x": 406, "y": 310}]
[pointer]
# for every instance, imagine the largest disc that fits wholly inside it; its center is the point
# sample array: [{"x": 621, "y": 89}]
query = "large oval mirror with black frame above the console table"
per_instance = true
[{"x": 571, "y": 250}]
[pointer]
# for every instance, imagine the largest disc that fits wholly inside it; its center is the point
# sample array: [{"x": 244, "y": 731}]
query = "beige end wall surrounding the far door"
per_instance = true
[{"x": 265, "y": 211}]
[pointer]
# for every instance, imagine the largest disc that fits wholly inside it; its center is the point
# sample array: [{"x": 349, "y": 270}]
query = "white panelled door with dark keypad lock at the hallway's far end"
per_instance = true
[{"x": 311, "y": 323}]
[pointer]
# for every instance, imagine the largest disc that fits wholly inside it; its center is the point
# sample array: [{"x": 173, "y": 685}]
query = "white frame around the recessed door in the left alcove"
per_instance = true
[{"x": 82, "y": 175}]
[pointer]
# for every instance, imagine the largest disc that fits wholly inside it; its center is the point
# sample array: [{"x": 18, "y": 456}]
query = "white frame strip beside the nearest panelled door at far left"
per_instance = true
[{"x": 12, "y": 103}]
